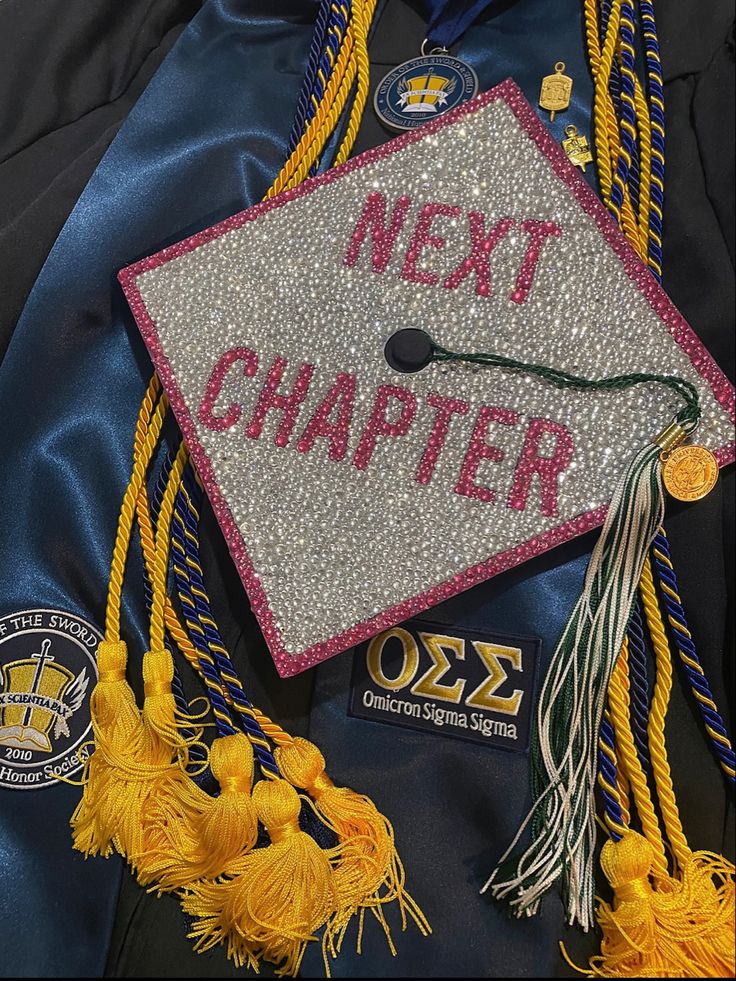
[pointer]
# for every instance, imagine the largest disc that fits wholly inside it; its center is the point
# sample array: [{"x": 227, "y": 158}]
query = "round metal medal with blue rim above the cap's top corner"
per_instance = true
[{"x": 422, "y": 89}]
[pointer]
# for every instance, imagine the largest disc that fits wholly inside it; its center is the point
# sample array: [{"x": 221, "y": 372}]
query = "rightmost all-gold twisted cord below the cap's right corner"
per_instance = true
[{"x": 657, "y": 715}]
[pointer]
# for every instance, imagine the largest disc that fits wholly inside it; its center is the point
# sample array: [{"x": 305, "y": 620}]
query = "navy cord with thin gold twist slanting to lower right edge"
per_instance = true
[{"x": 714, "y": 724}]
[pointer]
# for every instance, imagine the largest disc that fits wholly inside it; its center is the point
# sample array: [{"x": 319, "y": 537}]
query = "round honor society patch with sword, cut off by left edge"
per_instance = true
[{"x": 47, "y": 672}]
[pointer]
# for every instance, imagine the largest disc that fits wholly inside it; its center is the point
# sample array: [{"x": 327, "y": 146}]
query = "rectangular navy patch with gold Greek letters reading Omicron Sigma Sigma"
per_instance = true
[{"x": 449, "y": 680}]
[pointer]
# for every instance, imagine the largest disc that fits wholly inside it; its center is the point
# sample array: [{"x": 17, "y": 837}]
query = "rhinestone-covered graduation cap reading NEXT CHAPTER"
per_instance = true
[{"x": 354, "y": 493}]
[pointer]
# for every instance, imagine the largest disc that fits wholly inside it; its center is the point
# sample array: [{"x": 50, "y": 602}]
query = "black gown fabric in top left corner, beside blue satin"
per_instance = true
[{"x": 70, "y": 72}]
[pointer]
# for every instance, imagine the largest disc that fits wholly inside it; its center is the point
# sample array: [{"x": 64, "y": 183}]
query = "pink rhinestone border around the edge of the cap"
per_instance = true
[{"x": 287, "y": 663}]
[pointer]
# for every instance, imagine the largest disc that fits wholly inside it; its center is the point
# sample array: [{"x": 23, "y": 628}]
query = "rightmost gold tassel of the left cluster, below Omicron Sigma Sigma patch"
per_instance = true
[{"x": 368, "y": 870}]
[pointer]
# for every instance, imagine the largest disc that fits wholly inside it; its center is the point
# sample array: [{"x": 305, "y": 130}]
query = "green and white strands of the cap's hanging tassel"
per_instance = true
[{"x": 571, "y": 707}]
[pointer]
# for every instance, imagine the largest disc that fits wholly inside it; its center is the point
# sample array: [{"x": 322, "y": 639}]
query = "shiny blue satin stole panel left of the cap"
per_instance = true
[{"x": 206, "y": 139}]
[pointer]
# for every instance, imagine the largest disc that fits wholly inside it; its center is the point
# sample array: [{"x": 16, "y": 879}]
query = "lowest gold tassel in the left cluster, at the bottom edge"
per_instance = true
[{"x": 279, "y": 896}]
